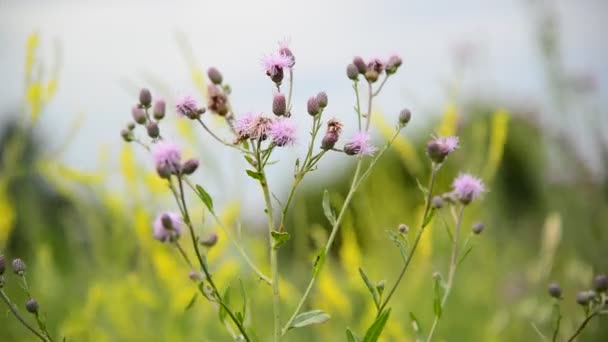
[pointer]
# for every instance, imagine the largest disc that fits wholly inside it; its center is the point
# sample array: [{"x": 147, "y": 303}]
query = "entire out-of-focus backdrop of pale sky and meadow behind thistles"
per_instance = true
[{"x": 523, "y": 83}]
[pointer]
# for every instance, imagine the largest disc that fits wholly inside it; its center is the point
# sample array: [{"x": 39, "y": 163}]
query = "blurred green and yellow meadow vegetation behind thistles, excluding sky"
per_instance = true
[{"x": 99, "y": 275}]
